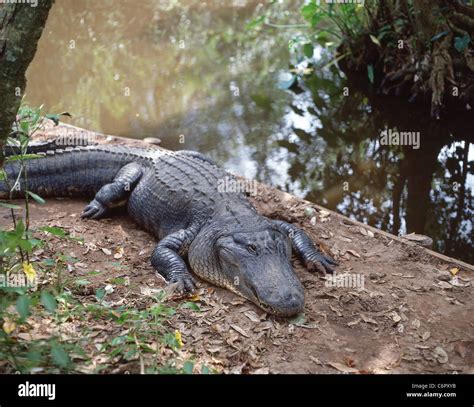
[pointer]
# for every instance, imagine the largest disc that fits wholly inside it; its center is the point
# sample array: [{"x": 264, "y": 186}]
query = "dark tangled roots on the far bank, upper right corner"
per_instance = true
[{"x": 428, "y": 58}]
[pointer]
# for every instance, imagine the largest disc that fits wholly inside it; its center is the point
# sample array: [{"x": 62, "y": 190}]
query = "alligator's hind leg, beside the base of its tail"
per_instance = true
[{"x": 113, "y": 194}]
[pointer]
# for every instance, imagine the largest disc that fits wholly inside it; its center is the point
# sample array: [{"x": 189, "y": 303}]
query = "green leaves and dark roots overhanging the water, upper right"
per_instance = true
[{"x": 414, "y": 48}]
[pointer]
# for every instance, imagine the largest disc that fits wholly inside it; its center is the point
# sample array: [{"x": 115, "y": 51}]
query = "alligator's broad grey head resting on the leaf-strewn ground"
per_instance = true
[{"x": 253, "y": 262}]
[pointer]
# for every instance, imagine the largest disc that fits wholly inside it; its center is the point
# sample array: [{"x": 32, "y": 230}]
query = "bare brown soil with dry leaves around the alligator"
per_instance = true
[{"x": 415, "y": 313}]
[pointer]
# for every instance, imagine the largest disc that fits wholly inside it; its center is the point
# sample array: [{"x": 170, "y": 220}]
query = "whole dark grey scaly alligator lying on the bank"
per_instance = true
[{"x": 175, "y": 196}]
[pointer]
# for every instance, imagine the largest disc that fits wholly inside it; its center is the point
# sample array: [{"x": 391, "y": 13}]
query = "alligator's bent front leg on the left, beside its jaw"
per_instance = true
[{"x": 166, "y": 259}]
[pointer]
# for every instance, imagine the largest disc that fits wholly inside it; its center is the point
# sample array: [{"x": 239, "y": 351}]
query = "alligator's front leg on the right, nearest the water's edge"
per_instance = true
[{"x": 311, "y": 257}]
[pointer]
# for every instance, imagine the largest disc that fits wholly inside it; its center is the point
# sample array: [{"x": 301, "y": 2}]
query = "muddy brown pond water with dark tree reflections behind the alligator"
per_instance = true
[{"x": 190, "y": 73}]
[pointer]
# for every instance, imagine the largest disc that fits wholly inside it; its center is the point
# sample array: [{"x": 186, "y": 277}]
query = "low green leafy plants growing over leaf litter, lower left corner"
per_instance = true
[{"x": 38, "y": 297}]
